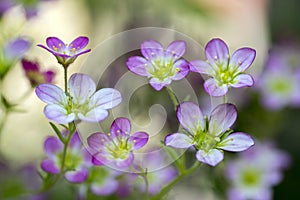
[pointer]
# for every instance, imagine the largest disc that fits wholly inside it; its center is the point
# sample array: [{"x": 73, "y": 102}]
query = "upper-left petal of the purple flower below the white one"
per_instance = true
[{"x": 98, "y": 140}]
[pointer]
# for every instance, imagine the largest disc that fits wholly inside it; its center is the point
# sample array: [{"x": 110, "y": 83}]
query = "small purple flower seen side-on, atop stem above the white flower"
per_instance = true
[{"x": 64, "y": 53}]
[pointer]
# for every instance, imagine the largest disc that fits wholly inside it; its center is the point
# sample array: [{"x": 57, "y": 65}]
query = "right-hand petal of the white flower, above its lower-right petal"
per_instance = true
[{"x": 106, "y": 98}]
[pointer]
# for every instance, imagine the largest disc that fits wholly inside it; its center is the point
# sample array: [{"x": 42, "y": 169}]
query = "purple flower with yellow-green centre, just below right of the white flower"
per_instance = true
[{"x": 116, "y": 148}]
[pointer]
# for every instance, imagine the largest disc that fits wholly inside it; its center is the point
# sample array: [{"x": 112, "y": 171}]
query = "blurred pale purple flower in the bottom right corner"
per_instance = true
[{"x": 255, "y": 172}]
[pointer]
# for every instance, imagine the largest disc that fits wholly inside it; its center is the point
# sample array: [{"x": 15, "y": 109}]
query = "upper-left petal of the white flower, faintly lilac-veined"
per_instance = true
[{"x": 51, "y": 94}]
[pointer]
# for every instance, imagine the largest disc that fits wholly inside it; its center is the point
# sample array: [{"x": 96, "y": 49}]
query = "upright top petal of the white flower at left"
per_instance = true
[{"x": 81, "y": 87}]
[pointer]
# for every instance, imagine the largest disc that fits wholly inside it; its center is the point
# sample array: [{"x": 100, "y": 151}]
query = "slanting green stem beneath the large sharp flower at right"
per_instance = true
[{"x": 168, "y": 187}]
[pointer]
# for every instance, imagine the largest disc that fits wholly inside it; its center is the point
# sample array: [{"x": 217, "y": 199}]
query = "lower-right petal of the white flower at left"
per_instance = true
[{"x": 94, "y": 115}]
